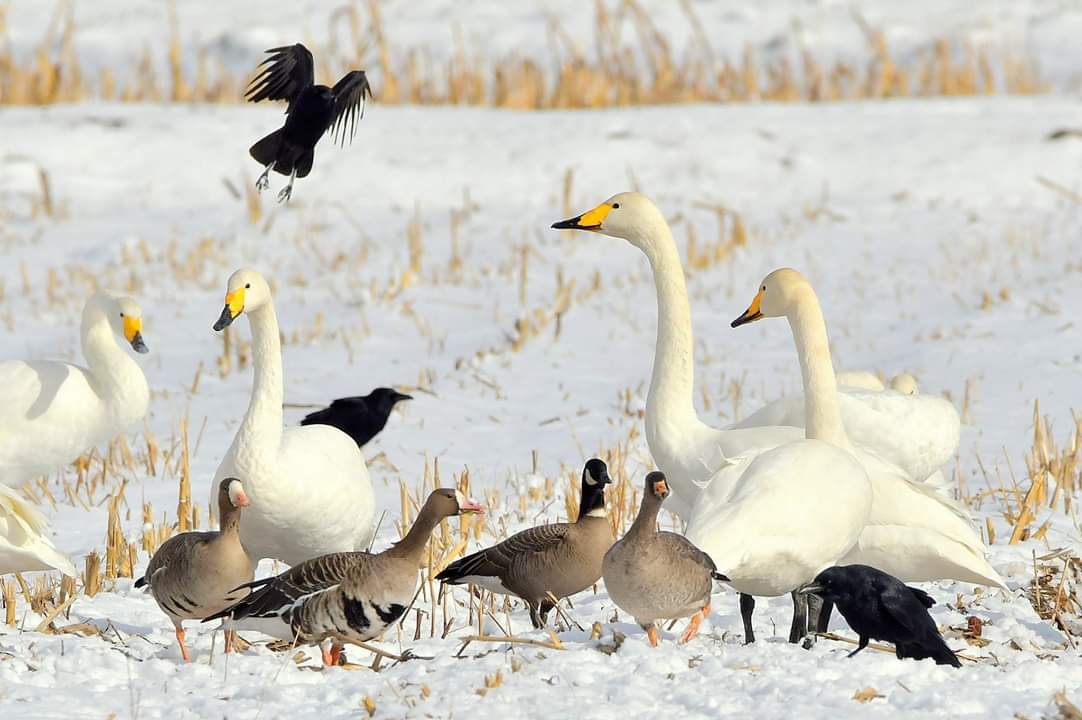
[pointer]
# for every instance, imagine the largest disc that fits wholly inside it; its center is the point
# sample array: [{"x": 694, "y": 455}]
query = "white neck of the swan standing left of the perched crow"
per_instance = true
[{"x": 261, "y": 429}]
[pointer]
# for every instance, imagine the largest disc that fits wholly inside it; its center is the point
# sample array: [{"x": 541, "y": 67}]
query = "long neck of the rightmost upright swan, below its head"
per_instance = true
[{"x": 823, "y": 417}]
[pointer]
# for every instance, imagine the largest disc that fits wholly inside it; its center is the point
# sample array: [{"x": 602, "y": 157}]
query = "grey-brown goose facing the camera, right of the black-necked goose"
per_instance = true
[{"x": 657, "y": 575}]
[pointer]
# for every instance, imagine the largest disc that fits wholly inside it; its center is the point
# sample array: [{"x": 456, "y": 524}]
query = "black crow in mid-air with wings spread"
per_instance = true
[{"x": 313, "y": 110}]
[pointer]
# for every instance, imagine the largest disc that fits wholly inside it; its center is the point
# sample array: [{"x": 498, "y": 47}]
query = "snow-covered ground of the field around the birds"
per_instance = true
[{"x": 923, "y": 225}]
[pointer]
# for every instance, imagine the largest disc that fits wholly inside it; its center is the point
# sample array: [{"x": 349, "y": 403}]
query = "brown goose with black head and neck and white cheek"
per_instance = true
[{"x": 561, "y": 559}]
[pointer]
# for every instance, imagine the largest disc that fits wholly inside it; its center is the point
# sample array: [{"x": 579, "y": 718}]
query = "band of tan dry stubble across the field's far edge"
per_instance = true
[{"x": 634, "y": 64}]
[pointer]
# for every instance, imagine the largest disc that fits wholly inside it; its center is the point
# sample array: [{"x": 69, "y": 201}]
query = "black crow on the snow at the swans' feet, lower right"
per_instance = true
[{"x": 881, "y": 607}]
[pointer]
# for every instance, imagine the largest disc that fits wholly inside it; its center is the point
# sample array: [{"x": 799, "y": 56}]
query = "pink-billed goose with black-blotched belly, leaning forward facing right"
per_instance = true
[{"x": 346, "y": 597}]
